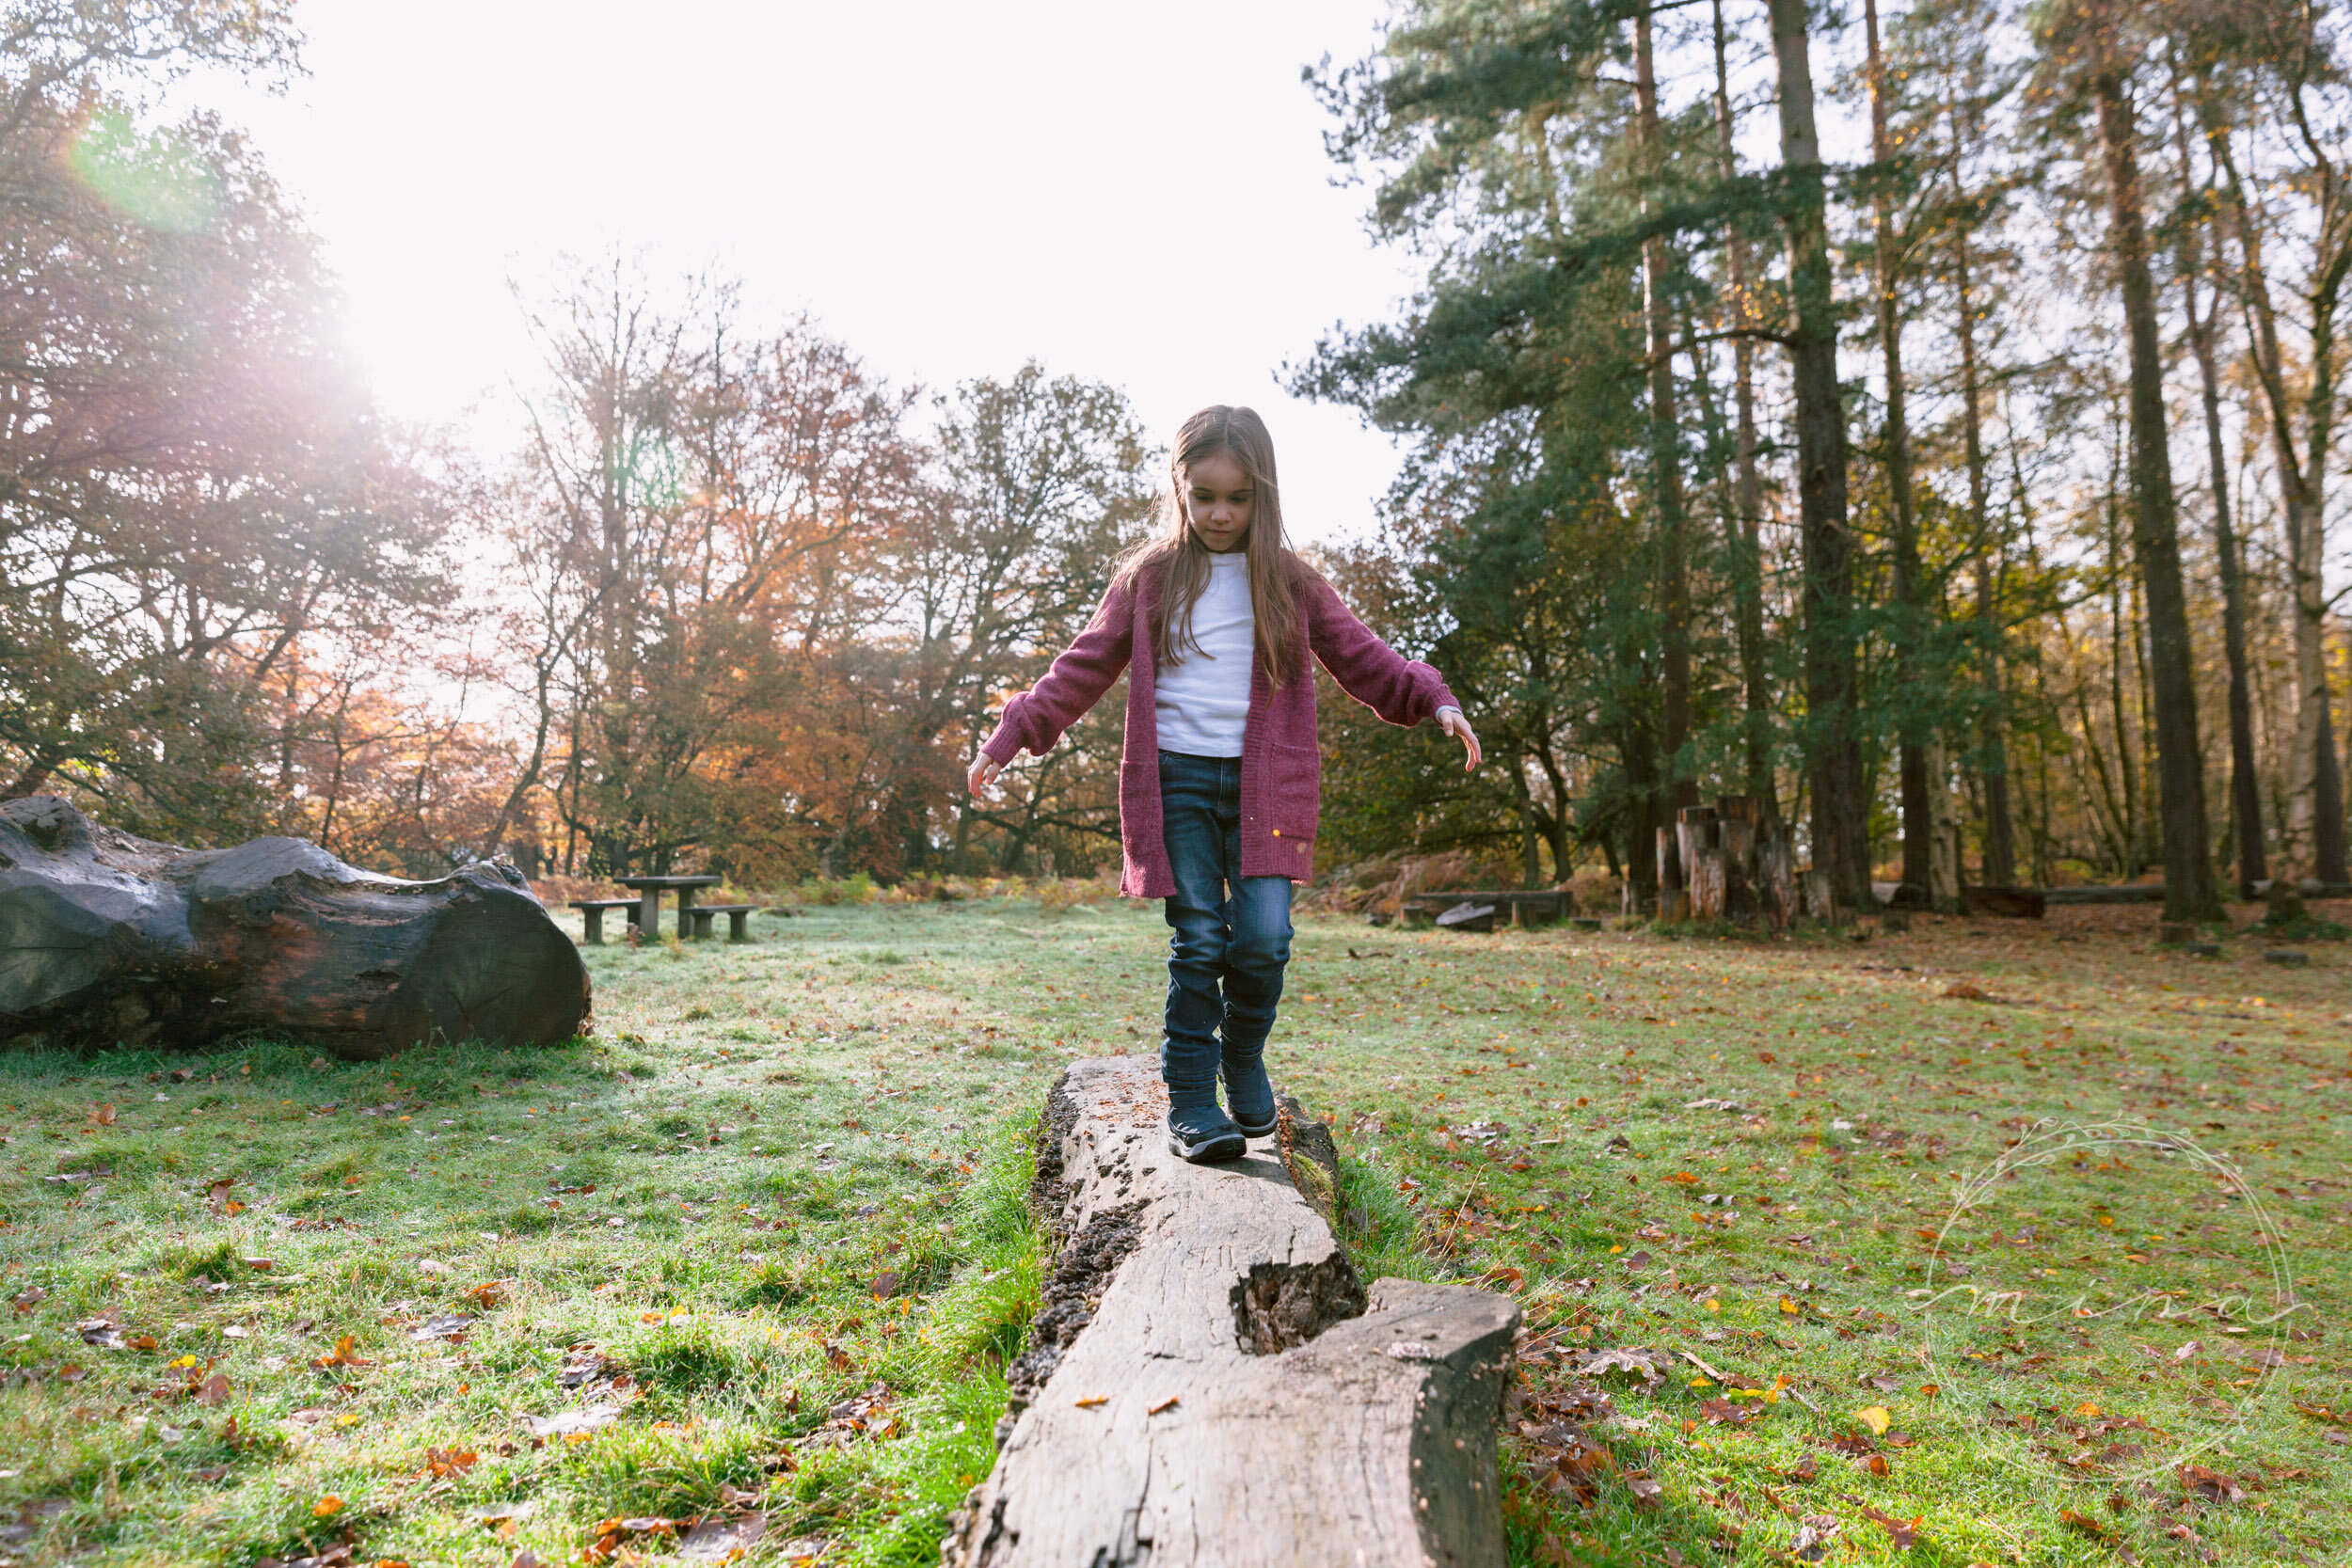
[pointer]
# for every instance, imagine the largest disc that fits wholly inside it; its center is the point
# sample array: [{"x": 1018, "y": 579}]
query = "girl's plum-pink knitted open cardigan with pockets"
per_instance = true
[{"x": 1281, "y": 756}]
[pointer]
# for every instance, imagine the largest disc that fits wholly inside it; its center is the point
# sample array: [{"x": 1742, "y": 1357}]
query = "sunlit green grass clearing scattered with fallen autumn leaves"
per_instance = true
[{"x": 817, "y": 1158}]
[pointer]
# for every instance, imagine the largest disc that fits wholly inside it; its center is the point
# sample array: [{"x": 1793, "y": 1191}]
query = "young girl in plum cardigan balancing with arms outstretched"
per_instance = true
[{"x": 1222, "y": 775}]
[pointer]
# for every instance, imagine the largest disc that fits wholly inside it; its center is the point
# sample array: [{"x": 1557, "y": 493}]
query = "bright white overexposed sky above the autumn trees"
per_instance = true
[{"x": 1132, "y": 194}]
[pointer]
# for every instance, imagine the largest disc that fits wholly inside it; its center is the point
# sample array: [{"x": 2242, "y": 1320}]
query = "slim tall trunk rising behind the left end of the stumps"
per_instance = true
[{"x": 1666, "y": 467}]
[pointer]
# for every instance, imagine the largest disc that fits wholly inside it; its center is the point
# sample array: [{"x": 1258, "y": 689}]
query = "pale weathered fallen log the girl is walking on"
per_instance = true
[{"x": 1210, "y": 1383}]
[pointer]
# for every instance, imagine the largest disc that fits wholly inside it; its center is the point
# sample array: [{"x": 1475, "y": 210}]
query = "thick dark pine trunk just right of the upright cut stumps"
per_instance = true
[{"x": 1831, "y": 681}]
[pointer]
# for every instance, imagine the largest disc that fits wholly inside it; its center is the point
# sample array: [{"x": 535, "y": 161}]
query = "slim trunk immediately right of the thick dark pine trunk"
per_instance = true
[{"x": 1911, "y": 591}]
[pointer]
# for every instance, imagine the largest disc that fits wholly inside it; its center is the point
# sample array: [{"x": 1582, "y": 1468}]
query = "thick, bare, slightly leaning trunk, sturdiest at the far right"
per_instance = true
[{"x": 2191, "y": 892}]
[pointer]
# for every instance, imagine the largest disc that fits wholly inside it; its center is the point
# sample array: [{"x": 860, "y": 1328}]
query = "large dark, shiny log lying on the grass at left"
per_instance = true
[{"x": 109, "y": 939}]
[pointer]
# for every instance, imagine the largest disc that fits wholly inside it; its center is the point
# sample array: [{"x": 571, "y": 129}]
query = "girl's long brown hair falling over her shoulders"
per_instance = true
[{"x": 1180, "y": 563}]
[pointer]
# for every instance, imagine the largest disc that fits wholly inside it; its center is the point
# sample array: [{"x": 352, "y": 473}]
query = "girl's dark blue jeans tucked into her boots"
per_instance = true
[{"x": 1231, "y": 932}]
